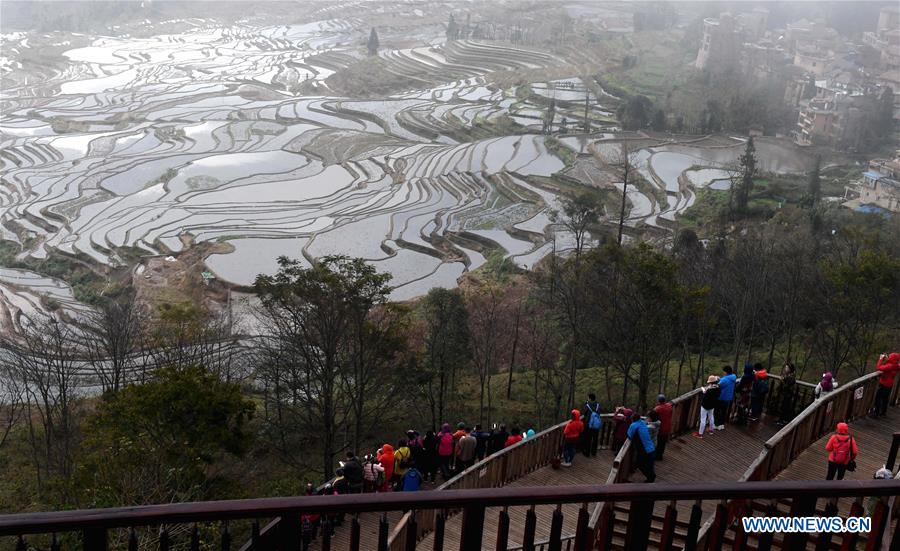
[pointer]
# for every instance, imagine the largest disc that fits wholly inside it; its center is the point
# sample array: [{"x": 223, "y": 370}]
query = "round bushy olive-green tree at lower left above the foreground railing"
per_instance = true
[{"x": 162, "y": 441}]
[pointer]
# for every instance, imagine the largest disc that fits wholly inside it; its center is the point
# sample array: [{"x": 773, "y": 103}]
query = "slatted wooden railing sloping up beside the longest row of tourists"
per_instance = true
[{"x": 494, "y": 471}]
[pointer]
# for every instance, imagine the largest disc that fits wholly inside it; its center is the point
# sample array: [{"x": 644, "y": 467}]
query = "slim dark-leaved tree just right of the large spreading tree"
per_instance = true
[{"x": 446, "y": 348}]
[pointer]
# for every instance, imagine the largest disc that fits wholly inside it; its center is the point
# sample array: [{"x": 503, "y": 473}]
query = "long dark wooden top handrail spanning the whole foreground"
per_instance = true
[{"x": 205, "y": 511}]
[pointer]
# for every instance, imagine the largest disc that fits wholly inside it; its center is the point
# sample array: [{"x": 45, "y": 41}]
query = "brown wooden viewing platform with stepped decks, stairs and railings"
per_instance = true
[{"x": 515, "y": 500}]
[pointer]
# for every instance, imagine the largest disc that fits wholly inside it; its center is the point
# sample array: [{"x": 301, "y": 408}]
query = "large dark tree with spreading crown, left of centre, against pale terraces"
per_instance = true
[{"x": 316, "y": 358}]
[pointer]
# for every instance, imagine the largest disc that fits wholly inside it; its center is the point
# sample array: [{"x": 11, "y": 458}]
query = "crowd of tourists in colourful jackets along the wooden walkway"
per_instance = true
[{"x": 418, "y": 459}]
